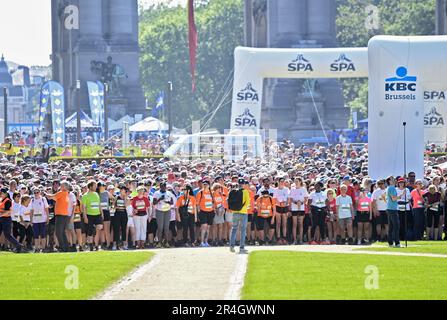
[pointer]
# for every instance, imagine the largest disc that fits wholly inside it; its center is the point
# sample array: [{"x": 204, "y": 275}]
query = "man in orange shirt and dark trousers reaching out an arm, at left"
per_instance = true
[{"x": 61, "y": 211}]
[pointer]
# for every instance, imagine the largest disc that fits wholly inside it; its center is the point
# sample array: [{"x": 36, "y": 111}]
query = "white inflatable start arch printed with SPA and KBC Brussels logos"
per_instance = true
[{"x": 400, "y": 70}]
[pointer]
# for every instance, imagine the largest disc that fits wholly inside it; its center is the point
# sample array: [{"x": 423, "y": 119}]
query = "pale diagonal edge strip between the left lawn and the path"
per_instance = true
[{"x": 114, "y": 291}]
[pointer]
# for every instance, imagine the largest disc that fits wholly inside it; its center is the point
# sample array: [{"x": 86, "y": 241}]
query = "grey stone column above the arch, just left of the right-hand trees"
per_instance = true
[{"x": 321, "y": 21}]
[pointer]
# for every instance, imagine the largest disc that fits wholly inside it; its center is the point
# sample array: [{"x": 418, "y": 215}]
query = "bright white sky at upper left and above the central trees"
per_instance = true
[{"x": 25, "y": 30}]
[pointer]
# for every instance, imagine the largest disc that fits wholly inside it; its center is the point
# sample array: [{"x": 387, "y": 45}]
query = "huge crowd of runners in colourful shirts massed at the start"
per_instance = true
[{"x": 313, "y": 195}]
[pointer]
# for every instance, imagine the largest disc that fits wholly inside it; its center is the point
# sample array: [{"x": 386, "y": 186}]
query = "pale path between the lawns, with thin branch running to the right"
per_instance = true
[{"x": 205, "y": 273}]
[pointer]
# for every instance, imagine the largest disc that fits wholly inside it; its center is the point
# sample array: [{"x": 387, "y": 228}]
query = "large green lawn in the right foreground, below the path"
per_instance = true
[{"x": 330, "y": 276}]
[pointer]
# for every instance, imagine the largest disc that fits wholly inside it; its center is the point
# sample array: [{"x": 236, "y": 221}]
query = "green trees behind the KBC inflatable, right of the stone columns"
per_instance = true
[{"x": 396, "y": 17}]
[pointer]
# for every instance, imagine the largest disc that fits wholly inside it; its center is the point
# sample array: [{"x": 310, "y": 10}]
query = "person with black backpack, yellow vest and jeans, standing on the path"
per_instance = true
[{"x": 238, "y": 202}]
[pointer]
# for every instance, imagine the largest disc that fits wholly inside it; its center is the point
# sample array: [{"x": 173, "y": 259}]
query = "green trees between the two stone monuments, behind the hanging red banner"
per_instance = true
[{"x": 165, "y": 57}]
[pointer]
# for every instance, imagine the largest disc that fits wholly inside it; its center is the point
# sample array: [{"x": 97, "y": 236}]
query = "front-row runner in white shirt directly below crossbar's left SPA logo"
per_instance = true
[{"x": 297, "y": 199}]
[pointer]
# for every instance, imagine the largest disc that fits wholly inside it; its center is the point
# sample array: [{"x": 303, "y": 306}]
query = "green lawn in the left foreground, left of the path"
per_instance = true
[{"x": 44, "y": 277}]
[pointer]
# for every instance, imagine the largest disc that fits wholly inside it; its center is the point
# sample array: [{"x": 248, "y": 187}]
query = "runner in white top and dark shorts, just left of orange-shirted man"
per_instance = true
[{"x": 40, "y": 220}]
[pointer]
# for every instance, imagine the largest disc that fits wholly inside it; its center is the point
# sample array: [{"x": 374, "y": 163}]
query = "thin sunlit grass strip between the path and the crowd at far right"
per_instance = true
[{"x": 438, "y": 247}]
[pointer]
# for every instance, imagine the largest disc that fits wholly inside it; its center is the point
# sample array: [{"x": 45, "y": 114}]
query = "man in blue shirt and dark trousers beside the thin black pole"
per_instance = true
[{"x": 393, "y": 213}]
